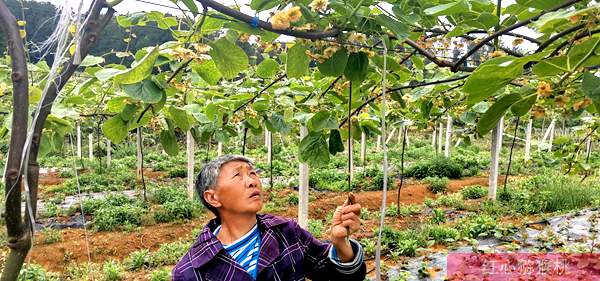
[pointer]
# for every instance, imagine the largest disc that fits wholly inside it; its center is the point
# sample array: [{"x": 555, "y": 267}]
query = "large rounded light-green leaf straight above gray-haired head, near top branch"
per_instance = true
[{"x": 228, "y": 57}]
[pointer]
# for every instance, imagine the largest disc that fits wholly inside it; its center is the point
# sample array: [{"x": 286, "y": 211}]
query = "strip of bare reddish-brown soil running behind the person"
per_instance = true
[{"x": 118, "y": 245}]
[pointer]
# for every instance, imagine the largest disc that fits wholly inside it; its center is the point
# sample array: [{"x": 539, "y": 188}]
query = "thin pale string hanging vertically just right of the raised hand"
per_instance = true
[{"x": 385, "y": 166}]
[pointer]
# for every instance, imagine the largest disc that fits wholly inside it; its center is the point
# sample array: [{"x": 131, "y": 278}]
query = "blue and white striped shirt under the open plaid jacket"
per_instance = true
[{"x": 245, "y": 250}]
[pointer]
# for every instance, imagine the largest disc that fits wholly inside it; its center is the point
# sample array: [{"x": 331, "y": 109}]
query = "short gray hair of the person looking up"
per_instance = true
[{"x": 207, "y": 177}]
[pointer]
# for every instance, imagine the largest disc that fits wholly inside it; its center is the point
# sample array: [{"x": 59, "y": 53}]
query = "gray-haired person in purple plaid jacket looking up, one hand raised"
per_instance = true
[{"x": 241, "y": 245}]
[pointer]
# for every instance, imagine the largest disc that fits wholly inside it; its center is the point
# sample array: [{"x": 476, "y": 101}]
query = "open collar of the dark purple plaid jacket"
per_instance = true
[{"x": 207, "y": 246}]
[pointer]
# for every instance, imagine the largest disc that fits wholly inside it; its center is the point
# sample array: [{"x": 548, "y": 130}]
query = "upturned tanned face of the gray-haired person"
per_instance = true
[{"x": 238, "y": 188}]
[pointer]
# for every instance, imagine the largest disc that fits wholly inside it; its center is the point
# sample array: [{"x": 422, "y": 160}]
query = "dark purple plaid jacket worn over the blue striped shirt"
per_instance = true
[{"x": 287, "y": 253}]
